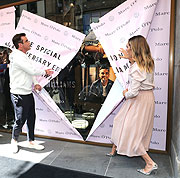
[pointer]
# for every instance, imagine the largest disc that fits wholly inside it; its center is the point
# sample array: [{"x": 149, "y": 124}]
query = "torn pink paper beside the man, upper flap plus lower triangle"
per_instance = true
[{"x": 53, "y": 46}]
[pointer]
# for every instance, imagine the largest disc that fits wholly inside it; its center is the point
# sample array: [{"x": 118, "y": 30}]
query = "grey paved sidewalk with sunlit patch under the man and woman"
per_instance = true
[{"x": 75, "y": 156}]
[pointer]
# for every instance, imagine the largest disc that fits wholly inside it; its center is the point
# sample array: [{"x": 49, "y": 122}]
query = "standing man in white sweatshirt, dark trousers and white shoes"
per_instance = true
[{"x": 21, "y": 73}]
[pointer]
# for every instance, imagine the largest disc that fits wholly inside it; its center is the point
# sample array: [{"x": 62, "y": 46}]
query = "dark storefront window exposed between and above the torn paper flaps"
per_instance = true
[{"x": 78, "y": 90}]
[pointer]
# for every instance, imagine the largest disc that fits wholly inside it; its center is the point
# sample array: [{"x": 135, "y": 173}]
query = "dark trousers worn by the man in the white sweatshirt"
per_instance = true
[{"x": 24, "y": 109}]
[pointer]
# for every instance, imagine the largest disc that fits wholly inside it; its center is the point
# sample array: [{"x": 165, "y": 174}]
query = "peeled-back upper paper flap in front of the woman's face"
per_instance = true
[{"x": 116, "y": 27}]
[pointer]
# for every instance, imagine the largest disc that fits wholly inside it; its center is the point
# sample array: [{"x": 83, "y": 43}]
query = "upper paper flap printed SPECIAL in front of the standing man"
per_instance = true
[{"x": 53, "y": 45}]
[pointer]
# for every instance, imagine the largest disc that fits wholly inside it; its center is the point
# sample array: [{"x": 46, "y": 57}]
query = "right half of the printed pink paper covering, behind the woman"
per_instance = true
[{"x": 152, "y": 20}]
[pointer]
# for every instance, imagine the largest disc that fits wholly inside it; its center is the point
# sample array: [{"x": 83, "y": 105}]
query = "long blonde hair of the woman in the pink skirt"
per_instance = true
[{"x": 141, "y": 53}]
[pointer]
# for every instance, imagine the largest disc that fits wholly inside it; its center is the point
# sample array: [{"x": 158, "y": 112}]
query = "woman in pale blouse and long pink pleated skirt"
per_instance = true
[{"x": 132, "y": 127}]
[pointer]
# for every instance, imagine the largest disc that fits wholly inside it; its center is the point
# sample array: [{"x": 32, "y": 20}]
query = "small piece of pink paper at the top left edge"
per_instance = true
[{"x": 7, "y": 26}]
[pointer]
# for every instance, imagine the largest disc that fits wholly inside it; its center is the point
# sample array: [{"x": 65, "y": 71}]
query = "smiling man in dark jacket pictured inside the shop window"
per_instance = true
[{"x": 101, "y": 87}]
